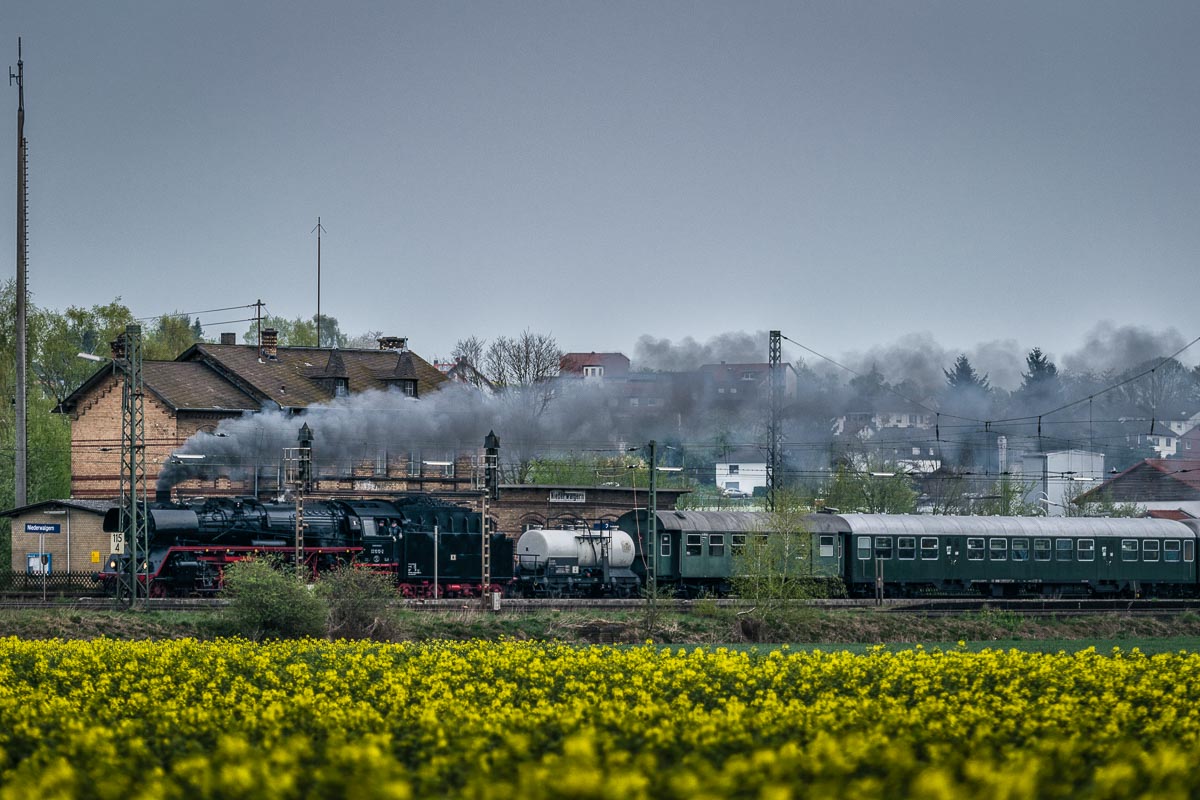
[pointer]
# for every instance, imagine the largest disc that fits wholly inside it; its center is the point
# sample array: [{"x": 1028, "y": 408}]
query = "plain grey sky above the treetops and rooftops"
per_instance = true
[{"x": 850, "y": 173}]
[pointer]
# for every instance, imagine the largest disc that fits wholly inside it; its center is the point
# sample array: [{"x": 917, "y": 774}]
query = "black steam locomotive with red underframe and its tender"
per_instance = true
[{"x": 424, "y": 543}]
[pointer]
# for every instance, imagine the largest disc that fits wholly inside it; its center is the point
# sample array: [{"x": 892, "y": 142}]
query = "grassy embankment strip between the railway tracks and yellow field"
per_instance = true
[{"x": 843, "y": 629}]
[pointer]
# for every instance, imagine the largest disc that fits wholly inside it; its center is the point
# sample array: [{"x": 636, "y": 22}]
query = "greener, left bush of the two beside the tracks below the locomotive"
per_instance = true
[{"x": 268, "y": 601}]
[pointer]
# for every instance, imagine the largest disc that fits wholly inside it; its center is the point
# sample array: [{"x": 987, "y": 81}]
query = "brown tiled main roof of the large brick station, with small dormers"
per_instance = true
[{"x": 298, "y": 377}]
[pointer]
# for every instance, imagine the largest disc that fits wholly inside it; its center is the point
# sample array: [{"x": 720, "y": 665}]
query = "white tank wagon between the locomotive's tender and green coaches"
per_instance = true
[{"x": 575, "y": 563}]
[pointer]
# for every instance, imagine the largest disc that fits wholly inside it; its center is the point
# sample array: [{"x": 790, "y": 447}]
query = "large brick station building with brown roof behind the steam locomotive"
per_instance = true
[{"x": 211, "y": 383}]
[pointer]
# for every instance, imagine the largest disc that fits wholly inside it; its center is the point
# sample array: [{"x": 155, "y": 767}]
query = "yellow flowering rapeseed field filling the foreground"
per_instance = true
[{"x": 185, "y": 719}]
